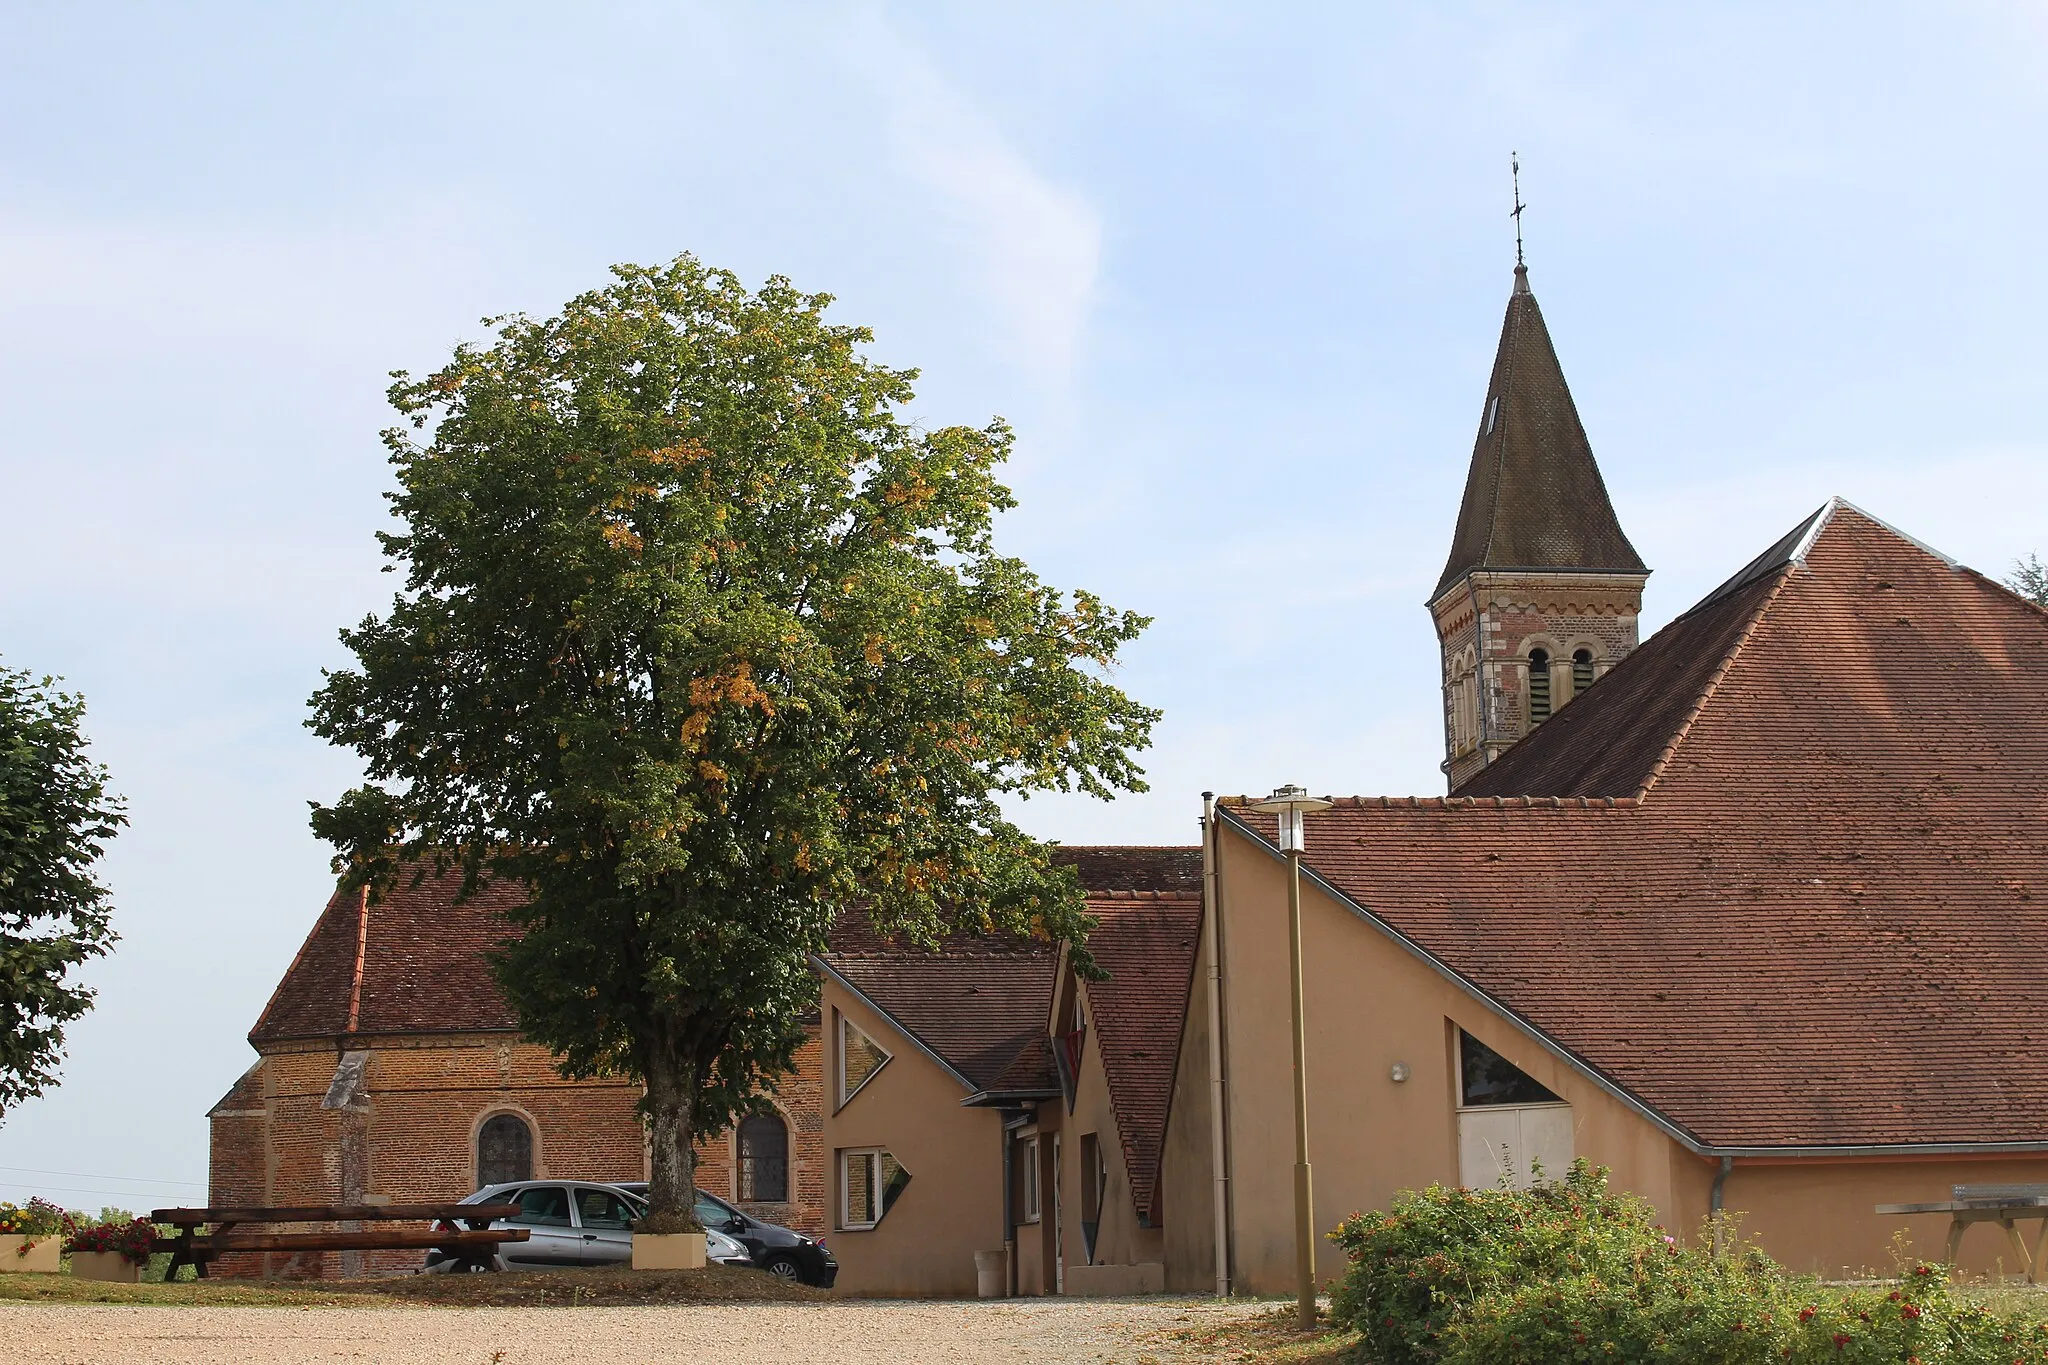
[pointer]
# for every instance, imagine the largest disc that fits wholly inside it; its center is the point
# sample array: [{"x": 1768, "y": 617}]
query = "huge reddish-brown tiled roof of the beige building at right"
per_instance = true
[{"x": 1820, "y": 926}]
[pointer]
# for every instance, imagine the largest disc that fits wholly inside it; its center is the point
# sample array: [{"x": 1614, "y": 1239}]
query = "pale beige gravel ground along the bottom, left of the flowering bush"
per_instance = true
[{"x": 851, "y": 1333}]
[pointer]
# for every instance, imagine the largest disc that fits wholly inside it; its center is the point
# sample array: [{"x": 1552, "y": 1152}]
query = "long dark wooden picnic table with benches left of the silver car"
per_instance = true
[{"x": 466, "y": 1245}]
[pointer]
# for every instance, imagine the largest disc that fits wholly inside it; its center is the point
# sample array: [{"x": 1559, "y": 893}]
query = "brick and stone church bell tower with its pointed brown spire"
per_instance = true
[{"x": 1543, "y": 590}]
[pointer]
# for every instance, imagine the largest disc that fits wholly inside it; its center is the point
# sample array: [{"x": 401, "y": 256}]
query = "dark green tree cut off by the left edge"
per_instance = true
[{"x": 56, "y": 818}]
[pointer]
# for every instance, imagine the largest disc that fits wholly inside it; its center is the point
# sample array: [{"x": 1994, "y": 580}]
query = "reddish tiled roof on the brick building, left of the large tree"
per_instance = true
[{"x": 415, "y": 963}]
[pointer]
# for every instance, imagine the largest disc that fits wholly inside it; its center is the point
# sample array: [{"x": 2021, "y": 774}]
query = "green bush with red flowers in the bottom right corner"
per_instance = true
[{"x": 1574, "y": 1274}]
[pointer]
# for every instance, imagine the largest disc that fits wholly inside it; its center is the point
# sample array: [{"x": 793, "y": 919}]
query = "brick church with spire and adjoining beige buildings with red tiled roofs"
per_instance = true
[{"x": 1742, "y": 912}]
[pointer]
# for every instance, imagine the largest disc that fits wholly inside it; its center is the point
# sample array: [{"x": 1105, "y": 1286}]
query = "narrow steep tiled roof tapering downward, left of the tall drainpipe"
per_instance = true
[{"x": 1146, "y": 942}]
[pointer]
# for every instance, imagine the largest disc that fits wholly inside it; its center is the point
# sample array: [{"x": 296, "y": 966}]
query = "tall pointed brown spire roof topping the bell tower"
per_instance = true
[{"x": 1533, "y": 496}]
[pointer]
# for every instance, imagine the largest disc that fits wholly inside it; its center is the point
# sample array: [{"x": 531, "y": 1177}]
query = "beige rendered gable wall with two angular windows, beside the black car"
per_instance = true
[{"x": 953, "y": 1204}]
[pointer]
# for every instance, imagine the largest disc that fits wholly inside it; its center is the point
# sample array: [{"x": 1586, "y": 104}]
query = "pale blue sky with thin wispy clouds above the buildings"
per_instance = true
[{"x": 1234, "y": 273}]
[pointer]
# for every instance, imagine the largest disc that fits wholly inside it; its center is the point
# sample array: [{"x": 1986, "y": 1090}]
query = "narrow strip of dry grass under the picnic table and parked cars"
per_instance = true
[{"x": 599, "y": 1288}]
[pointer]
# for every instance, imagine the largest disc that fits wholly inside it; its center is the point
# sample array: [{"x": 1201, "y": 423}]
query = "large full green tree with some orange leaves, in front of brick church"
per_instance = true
[{"x": 703, "y": 642}]
